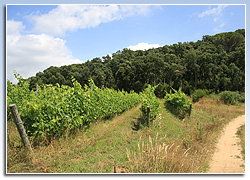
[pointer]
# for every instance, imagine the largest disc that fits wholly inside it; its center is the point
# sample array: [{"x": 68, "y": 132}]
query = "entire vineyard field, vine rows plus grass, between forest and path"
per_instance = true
[{"x": 90, "y": 130}]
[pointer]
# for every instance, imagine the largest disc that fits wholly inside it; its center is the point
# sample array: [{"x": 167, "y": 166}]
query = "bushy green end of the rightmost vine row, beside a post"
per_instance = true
[{"x": 177, "y": 103}]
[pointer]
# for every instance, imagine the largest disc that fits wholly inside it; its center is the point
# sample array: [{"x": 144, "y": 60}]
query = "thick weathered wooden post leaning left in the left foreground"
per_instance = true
[{"x": 19, "y": 126}]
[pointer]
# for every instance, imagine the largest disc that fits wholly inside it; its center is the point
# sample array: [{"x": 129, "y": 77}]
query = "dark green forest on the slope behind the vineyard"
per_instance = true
[{"x": 215, "y": 63}]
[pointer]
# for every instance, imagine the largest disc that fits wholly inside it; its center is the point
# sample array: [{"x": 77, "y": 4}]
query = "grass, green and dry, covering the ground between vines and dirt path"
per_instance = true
[{"x": 125, "y": 144}]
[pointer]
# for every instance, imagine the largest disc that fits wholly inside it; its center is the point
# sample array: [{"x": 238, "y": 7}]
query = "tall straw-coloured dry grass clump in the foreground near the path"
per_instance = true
[{"x": 153, "y": 157}]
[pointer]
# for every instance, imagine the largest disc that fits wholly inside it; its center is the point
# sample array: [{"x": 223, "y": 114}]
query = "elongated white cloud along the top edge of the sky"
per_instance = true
[{"x": 73, "y": 17}]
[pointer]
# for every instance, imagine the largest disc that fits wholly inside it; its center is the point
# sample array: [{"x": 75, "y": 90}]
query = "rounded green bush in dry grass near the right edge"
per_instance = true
[{"x": 230, "y": 97}]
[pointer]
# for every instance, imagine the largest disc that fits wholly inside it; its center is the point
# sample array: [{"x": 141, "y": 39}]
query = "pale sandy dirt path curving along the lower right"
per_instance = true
[{"x": 227, "y": 157}]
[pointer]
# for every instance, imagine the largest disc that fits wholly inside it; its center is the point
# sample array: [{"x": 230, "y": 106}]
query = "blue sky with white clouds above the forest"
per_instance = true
[{"x": 40, "y": 36}]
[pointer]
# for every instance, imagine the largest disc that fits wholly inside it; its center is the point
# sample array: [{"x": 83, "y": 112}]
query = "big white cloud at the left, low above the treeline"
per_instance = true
[{"x": 29, "y": 54}]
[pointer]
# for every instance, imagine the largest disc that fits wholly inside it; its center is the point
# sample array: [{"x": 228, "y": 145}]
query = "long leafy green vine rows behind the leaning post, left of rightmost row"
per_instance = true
[{"x": 50, "y": 111}]
